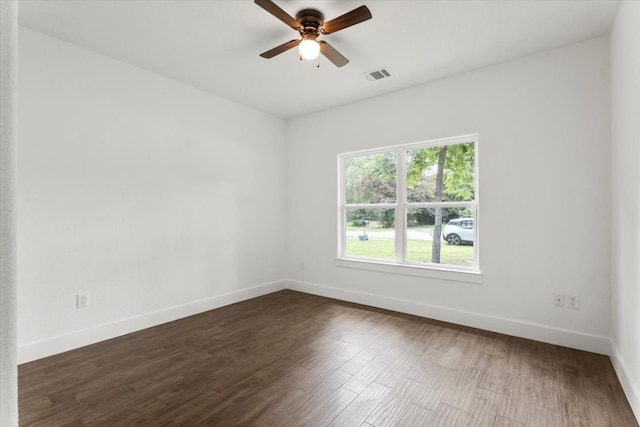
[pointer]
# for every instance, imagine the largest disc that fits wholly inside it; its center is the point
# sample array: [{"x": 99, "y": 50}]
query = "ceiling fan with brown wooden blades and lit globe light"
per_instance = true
[{"x": 310, "y": 24}]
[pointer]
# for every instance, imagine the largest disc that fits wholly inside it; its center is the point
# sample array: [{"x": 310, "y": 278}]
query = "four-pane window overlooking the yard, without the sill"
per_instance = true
[{"x": 411, "y": 205}]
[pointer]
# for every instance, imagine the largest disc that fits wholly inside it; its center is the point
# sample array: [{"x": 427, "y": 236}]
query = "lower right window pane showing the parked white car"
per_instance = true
[{"x": 450, "y": 243}]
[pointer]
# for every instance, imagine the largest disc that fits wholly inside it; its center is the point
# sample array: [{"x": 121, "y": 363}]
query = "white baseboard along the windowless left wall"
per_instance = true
[{"x": 36, "y": 350}]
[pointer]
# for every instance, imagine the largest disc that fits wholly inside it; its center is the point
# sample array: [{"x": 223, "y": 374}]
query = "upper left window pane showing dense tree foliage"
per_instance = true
[{"x": 371, "y": 179}]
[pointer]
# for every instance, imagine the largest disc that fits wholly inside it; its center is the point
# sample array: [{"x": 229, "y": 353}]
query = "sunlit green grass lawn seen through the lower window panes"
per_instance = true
[{"x": 418, "y": 250}]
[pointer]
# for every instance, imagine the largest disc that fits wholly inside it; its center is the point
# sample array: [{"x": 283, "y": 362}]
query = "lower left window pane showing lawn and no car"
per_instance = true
[{"x": 370, "y": 233}]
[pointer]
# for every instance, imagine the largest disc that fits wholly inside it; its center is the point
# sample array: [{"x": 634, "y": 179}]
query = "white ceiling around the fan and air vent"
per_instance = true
[{"x": 214, "y": 45}]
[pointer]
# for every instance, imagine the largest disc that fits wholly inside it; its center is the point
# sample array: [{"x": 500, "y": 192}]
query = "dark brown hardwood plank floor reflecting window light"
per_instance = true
[{"x": 291, "y": 359}]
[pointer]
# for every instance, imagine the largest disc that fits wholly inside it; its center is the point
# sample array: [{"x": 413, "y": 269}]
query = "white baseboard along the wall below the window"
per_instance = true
[{"x": 563, "y": 337}]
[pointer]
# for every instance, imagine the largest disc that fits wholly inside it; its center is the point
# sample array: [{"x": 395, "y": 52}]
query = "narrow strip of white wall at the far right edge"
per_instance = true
[{"x": 625, "y": 132}]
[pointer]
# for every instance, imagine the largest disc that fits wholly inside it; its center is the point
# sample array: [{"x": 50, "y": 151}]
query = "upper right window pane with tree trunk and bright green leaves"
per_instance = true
[{"x": 454, "y": 181}]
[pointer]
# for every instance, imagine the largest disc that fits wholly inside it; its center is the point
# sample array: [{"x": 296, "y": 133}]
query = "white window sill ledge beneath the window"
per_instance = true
[{"x": 464, "y": 276}]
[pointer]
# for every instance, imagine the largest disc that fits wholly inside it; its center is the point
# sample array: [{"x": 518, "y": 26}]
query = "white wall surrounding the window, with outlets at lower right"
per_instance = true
[{"x": 543, "y": 122}]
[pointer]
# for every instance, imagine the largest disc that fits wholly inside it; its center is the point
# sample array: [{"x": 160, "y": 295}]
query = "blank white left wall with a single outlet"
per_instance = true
[{"x": 156, "y": 199}]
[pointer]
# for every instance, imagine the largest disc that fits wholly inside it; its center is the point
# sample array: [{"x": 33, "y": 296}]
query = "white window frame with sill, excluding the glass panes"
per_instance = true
[{"x": 401, "y": 265}]
